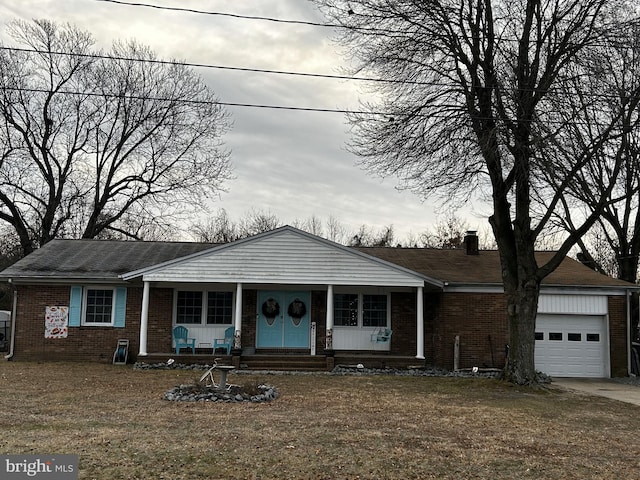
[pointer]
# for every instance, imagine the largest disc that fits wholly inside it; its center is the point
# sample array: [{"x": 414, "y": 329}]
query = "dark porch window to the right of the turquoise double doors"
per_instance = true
[{"x": 360, "y": 310}]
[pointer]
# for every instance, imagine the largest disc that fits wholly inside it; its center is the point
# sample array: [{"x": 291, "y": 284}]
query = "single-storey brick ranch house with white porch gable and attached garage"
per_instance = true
[{"x": 295, "y": 300}]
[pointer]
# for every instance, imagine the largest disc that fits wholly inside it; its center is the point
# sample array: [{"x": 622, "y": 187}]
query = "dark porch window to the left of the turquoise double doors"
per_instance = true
[{"x": 196, "y": 307}]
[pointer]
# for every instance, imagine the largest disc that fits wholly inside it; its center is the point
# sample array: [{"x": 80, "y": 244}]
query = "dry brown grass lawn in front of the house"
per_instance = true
[{"x": 321, "y": 427}]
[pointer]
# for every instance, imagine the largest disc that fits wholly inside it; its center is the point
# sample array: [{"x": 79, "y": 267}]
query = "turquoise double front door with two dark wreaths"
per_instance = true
[{"x": 283, "y": 319}]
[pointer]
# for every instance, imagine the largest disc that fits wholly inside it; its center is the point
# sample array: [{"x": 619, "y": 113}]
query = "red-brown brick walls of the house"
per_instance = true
[{"x": 479, "y": 320}]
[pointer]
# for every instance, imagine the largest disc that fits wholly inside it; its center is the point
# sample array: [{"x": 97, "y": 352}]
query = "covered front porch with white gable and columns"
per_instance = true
[{"x": 286, "y": 294}]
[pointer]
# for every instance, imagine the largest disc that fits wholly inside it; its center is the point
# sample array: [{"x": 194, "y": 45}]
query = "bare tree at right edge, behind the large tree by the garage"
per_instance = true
[{"x": 617, "y": 86}]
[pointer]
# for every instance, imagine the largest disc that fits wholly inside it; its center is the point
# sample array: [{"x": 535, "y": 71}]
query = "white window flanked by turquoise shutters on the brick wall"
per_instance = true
[{"x": 98, "y": 306}]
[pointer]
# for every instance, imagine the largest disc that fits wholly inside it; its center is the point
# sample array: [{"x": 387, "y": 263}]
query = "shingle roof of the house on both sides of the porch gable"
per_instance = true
[{"x": 106, "y": 260}]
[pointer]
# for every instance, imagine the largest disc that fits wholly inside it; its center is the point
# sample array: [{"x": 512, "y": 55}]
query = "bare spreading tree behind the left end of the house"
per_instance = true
[{"x": 94, "y": 144}]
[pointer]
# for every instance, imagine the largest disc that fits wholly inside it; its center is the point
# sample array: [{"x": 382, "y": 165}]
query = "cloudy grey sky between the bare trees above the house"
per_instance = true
[{"x": 289, "y": 163}]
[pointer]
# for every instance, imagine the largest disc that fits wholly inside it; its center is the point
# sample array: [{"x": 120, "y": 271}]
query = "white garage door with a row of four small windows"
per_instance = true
[{"x": 571, "y": 345}]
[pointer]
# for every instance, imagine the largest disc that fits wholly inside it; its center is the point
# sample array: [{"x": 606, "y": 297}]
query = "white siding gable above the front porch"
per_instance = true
[{"x": 283, "y": 256}]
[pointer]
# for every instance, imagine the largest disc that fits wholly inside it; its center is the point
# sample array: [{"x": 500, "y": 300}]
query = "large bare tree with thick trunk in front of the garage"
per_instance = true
[{"x": 465, "y": 105}]
